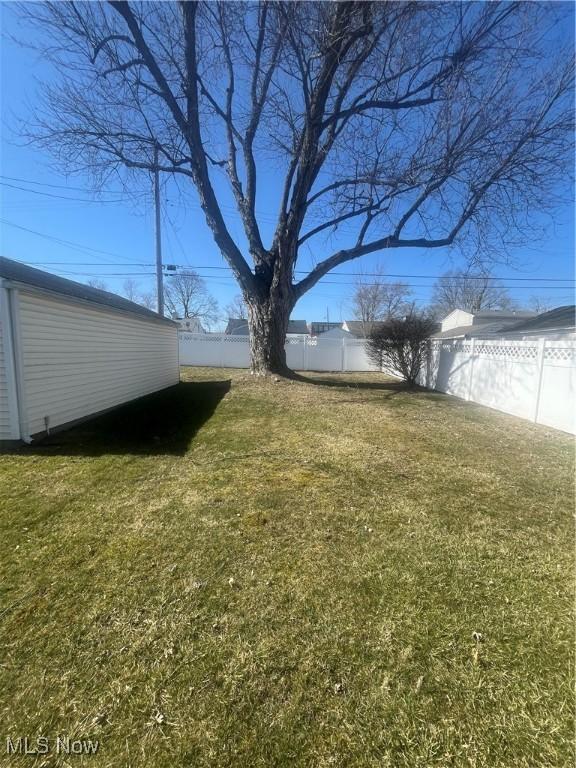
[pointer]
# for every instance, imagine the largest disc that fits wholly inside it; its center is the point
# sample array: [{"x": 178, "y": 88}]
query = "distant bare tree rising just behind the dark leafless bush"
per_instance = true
[{"x": 375, "y": 299}]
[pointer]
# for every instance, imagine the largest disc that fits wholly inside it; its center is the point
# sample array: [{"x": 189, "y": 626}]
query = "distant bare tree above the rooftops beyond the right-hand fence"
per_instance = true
[{"x": 471, "y": 292}]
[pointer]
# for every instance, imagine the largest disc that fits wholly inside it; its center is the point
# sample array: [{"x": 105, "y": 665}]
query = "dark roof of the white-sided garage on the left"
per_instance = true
[{"x": 22, "y": 273}]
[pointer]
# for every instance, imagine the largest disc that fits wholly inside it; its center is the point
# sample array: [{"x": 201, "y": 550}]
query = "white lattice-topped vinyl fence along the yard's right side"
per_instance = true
[{"x": 534, "y": 379}]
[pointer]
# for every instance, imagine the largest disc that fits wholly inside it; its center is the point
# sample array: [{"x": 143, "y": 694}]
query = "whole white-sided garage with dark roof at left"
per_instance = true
[{"x": 69, "y": 351}]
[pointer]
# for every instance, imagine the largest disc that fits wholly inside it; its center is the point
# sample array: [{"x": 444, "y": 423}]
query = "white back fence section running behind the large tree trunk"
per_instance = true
[{"x": 303, "y": 353}]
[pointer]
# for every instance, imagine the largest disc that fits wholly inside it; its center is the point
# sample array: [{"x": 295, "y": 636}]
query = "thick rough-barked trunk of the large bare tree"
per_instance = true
[{"x": 268, "y": 323}]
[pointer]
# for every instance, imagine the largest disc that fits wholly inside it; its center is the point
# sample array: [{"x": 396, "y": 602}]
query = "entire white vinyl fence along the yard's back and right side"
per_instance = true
[{"x": 534, "y": 380}]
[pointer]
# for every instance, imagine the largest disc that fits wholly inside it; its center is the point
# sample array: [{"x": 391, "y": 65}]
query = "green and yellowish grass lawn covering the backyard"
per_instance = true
[{"x": 254, "y": 574}]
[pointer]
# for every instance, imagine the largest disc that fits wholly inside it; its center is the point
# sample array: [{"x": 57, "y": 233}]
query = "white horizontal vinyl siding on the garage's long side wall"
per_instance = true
[{"x": 79, "y": 359}]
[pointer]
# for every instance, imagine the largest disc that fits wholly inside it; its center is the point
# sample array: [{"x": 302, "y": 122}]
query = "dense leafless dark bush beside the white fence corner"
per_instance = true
[{"x": 399, "y": 345}]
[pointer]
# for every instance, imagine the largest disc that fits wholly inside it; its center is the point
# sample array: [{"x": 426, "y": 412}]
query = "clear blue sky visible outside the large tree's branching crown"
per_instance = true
[{"x": 51, "y": 221}]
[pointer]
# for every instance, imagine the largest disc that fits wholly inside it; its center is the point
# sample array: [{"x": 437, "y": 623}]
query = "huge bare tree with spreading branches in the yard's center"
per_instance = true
[{"x": 407, "y": 124}]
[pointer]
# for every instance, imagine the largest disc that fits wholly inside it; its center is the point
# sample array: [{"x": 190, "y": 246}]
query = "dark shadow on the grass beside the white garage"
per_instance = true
[{"x": 162, "y": 423}]
